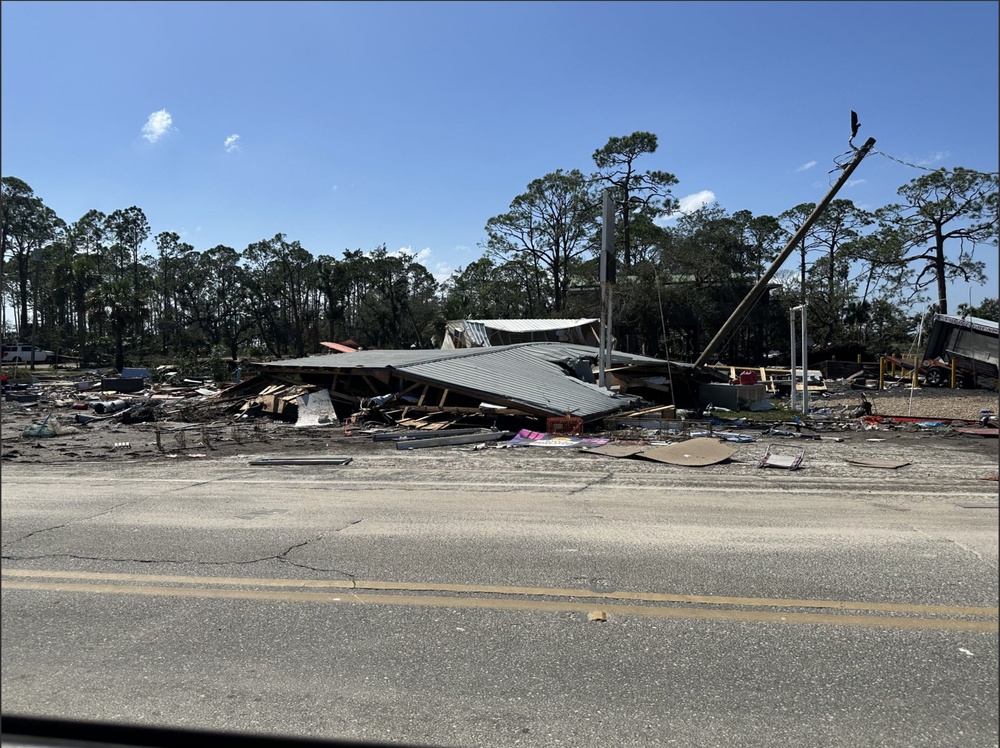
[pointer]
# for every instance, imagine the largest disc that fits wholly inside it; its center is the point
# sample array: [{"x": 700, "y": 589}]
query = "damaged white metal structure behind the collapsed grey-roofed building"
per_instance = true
[{"x": 486, "y": 333}]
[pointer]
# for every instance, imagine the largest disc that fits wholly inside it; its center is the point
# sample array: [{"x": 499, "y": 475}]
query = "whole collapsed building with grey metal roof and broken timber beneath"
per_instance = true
[{"x": 522, "y": 380}]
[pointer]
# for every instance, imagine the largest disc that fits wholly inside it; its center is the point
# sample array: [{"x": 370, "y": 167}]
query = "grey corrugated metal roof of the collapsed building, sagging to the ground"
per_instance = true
[{"x": 525, "y": 373}]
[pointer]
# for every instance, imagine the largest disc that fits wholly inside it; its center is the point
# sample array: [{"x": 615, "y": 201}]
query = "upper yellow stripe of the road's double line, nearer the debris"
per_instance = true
[{"x": 345, "y": 584}]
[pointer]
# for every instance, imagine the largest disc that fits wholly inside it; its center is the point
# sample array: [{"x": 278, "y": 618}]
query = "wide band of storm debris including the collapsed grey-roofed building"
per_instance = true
[{"x": 478, "y": 400}]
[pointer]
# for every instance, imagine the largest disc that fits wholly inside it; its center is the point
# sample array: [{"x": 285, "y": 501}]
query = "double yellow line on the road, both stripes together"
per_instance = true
[{"x": 498, "y": 597}]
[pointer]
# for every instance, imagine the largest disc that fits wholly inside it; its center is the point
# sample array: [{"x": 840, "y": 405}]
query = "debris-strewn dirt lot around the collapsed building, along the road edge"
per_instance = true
[{"x": 194, "y": 430}]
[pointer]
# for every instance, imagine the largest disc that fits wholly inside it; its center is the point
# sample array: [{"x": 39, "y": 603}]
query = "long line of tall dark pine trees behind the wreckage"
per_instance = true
[{"x": 94, "y": 287}]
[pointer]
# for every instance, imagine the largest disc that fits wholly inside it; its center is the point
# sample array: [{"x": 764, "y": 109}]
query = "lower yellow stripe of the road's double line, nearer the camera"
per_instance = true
[{"x": 756, "y": 616}]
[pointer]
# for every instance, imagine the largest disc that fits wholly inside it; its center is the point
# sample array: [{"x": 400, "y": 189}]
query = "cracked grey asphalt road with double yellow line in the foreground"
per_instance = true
[{"x": 444, "y": 599}]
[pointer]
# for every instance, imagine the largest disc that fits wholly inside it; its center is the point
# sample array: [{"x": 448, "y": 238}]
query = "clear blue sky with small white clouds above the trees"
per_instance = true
[{"x": 350, "y": 125}]
